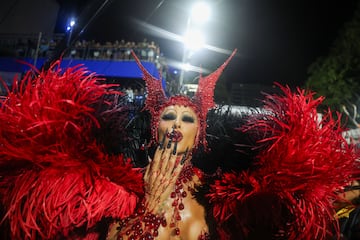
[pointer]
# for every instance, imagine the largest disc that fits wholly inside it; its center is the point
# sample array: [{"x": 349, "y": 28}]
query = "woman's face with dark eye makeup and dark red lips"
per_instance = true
[{"x": 184, "y": 124}]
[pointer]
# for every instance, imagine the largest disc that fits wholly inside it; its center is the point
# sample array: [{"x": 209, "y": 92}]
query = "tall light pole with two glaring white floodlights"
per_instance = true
[{"x": 193, "y": 39}]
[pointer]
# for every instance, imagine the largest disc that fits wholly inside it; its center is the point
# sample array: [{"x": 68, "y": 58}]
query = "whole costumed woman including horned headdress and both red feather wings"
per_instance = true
[{"x": 57, "y": 182}]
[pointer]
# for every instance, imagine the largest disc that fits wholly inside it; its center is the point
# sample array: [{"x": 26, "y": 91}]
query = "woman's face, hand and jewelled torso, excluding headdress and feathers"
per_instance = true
[{"x": 170, "y": 180}]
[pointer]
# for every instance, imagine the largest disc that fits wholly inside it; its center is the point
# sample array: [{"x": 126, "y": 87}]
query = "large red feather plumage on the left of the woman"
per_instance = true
[{"x": 54, "y": 177}]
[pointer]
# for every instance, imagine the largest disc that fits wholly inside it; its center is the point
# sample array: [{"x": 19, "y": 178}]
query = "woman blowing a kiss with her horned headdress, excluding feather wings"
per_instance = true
[{"x": 178, "y": 125}]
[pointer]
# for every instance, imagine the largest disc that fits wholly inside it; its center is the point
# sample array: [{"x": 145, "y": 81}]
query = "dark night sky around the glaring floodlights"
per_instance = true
[{"x": 276, "y": 40}]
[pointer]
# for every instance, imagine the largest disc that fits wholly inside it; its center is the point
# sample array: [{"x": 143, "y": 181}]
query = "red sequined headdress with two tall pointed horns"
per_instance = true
[{"x": 201, "y": 103}]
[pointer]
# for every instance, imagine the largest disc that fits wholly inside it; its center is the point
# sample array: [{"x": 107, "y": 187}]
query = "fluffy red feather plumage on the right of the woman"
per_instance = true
[{"x": 292, "y": 186}]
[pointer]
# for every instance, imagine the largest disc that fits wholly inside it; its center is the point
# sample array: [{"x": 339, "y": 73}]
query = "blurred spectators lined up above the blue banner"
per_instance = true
[{"x": 44, "y": 46}]
